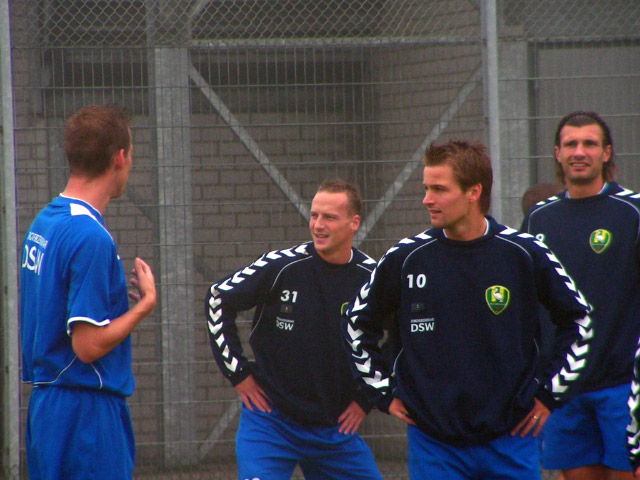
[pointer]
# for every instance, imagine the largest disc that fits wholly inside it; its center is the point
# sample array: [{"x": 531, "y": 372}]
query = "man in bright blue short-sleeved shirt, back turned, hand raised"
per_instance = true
[{"x": 74, "y": 314}]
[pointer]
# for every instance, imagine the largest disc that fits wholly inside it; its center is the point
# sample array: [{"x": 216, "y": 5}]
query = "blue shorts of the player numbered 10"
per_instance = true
[{"x": 505, "y": 458}]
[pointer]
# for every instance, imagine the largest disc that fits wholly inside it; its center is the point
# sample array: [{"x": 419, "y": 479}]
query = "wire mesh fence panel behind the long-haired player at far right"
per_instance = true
[{"x": 559, "y": 57}]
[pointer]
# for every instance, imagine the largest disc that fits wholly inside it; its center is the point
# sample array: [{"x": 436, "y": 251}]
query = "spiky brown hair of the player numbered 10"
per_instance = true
[{"x": 470, "y": 163}]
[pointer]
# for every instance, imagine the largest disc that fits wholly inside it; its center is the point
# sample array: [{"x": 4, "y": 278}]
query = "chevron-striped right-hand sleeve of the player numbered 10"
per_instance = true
[{"x": 569, "y": 311}]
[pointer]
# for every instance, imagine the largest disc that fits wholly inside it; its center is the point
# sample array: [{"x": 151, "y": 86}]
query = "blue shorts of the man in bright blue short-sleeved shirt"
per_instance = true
[{"x": 79, "y": 434}]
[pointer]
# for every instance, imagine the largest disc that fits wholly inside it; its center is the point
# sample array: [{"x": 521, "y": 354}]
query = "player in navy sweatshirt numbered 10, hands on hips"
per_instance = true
[{"x": 465, "y": 297}]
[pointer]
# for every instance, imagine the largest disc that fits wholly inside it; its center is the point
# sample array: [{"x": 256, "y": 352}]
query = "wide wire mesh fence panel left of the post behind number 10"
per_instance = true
[{"x": 240, "y": 109}]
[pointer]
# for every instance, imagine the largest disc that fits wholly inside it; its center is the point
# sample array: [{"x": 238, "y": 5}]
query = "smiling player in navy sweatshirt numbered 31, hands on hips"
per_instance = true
[{"x": 300, "y": 403}]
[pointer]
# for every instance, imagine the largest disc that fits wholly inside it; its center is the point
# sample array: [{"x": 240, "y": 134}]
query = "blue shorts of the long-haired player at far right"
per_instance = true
[{"x": 589, "y": 430}]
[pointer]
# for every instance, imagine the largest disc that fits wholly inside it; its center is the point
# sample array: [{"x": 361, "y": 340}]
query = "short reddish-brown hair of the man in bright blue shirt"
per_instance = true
[{"x": 93, "y": 135}]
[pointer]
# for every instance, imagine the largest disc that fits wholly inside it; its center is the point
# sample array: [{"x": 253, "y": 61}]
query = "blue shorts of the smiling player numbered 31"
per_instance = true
[{"x": 269, "y": 445}]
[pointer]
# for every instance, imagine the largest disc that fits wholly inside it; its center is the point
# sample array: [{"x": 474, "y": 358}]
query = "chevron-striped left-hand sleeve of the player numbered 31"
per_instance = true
[{"x": 237, "y": 292}]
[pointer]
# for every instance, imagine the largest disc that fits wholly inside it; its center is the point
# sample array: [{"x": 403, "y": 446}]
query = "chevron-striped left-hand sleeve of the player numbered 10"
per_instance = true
[{"x": 363, "y": 327}]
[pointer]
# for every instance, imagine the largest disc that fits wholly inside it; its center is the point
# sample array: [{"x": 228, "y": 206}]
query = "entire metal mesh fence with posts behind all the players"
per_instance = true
[{"x": 240, "y": 108}]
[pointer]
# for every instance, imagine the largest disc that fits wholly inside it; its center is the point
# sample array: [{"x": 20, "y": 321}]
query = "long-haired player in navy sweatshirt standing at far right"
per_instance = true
[{"x": 593, "y": 228}]
